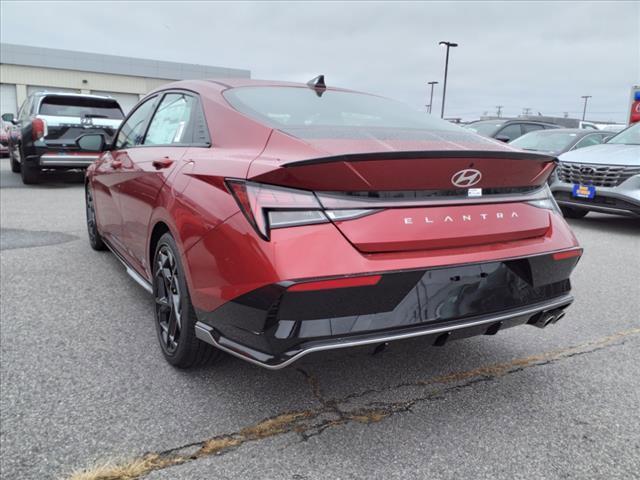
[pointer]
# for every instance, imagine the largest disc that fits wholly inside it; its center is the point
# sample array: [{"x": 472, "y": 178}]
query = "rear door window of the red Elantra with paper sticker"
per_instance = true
[{"x": 171, "y": 124}]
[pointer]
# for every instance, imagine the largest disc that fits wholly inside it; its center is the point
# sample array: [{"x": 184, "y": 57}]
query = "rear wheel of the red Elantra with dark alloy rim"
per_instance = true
[{"x": 174, "y": 313}]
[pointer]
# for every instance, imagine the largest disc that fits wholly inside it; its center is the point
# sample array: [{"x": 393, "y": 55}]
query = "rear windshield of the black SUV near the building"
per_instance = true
[{"x": 62, "y": 106}]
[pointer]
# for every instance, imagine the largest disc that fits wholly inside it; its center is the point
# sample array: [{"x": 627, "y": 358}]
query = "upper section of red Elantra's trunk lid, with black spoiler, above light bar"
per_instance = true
[{"x": 406, "y": 163}]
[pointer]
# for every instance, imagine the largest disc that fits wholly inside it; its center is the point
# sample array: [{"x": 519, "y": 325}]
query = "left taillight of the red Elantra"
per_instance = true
[{"x": 267, "y": 207}]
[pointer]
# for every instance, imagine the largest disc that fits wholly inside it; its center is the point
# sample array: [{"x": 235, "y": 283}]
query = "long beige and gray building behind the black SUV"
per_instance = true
[{"x": 25, "y": 70}]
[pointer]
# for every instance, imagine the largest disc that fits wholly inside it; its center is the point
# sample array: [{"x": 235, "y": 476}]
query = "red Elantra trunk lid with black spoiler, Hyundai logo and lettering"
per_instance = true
[{"x": 452, "y": 190}]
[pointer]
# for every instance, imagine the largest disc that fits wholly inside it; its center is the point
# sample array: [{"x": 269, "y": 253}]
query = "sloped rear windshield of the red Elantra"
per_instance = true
[{"x": 299, "y": 108}]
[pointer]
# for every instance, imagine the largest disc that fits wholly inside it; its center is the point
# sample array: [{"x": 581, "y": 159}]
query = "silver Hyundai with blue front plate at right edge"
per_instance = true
[{"x": 603, "y": 178}]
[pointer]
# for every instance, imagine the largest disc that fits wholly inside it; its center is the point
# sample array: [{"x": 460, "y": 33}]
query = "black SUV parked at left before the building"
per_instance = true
[{"x": 48, "y": 125}]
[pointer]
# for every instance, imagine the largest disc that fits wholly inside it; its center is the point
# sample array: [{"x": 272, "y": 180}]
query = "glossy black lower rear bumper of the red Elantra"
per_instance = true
[{"x": 274, "y": 326}]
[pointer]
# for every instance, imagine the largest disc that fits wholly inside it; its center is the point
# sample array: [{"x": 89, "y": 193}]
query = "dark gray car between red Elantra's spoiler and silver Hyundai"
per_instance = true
[{"x": 561, "y": 140}]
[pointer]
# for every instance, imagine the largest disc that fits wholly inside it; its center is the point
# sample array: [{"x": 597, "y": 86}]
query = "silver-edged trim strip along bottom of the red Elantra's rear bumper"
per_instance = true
[{"x": 460, "y": 329}]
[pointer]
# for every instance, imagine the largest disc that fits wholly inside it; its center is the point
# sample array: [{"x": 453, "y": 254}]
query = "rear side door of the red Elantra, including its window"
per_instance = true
[{"x": 147, "y": 167}]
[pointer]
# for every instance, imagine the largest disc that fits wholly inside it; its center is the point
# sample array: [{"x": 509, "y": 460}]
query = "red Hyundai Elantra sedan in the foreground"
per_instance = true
[{"x": 271, "y": 220}]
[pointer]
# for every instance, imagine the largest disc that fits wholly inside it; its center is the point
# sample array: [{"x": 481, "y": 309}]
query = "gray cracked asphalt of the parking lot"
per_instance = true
[{"x": 83, "y": 380}]
